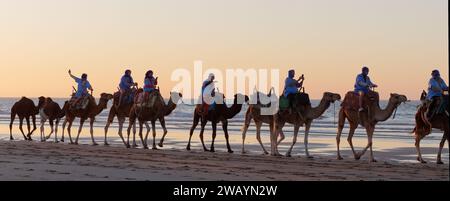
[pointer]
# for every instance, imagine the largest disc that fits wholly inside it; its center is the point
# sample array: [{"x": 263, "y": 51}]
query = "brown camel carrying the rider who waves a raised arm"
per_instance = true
[{"x": 91, "y": 111}]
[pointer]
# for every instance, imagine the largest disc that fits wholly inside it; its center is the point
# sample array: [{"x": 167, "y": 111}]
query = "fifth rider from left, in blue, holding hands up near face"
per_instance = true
[{"x": 291, "y": 87}]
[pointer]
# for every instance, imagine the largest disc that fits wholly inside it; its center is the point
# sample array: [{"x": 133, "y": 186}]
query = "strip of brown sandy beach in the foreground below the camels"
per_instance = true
[{"x": 24, "y": 160}]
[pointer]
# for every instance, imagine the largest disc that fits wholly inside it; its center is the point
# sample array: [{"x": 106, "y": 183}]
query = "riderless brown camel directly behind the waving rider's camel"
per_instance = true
[{"x": 50, "y": 110}]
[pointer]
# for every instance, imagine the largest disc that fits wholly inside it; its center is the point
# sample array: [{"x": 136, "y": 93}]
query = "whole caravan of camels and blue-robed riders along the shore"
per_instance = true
[{"x": 146, "y": 106}]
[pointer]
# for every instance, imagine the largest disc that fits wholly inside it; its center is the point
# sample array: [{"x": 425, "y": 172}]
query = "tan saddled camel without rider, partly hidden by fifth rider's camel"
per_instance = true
[{"x": 254, "y": 112}]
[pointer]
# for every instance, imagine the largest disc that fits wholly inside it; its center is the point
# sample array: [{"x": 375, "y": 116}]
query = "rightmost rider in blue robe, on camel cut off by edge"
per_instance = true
[{"x": 436, "y": 87}]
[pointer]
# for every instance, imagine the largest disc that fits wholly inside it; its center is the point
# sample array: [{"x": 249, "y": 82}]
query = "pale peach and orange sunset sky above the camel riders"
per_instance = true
[{"x": 329, "y": 41}]
